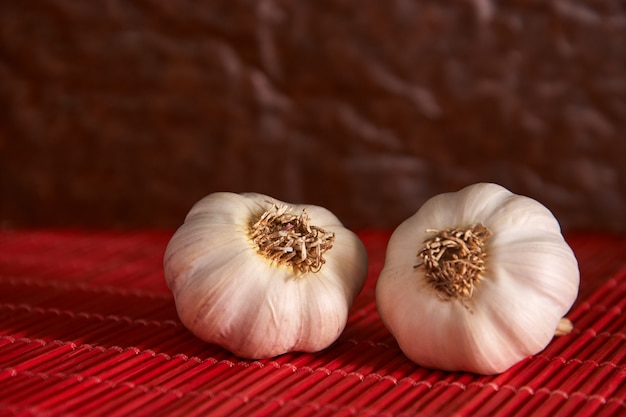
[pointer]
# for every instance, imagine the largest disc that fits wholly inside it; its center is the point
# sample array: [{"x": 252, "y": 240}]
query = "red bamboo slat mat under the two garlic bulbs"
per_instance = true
[{"x": 88, "y": 327}]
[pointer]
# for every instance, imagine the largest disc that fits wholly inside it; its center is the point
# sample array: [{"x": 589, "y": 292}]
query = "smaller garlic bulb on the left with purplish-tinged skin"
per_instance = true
[{"x": 260, "y": 277}]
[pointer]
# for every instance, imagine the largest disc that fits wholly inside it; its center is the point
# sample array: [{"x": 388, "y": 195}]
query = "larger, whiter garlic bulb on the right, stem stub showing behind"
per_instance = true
[{"x": 477, "y": 280}]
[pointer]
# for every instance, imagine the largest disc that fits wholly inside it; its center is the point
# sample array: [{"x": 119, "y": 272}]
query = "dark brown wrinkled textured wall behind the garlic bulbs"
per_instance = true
[{"x": 123, "y": 113}]
